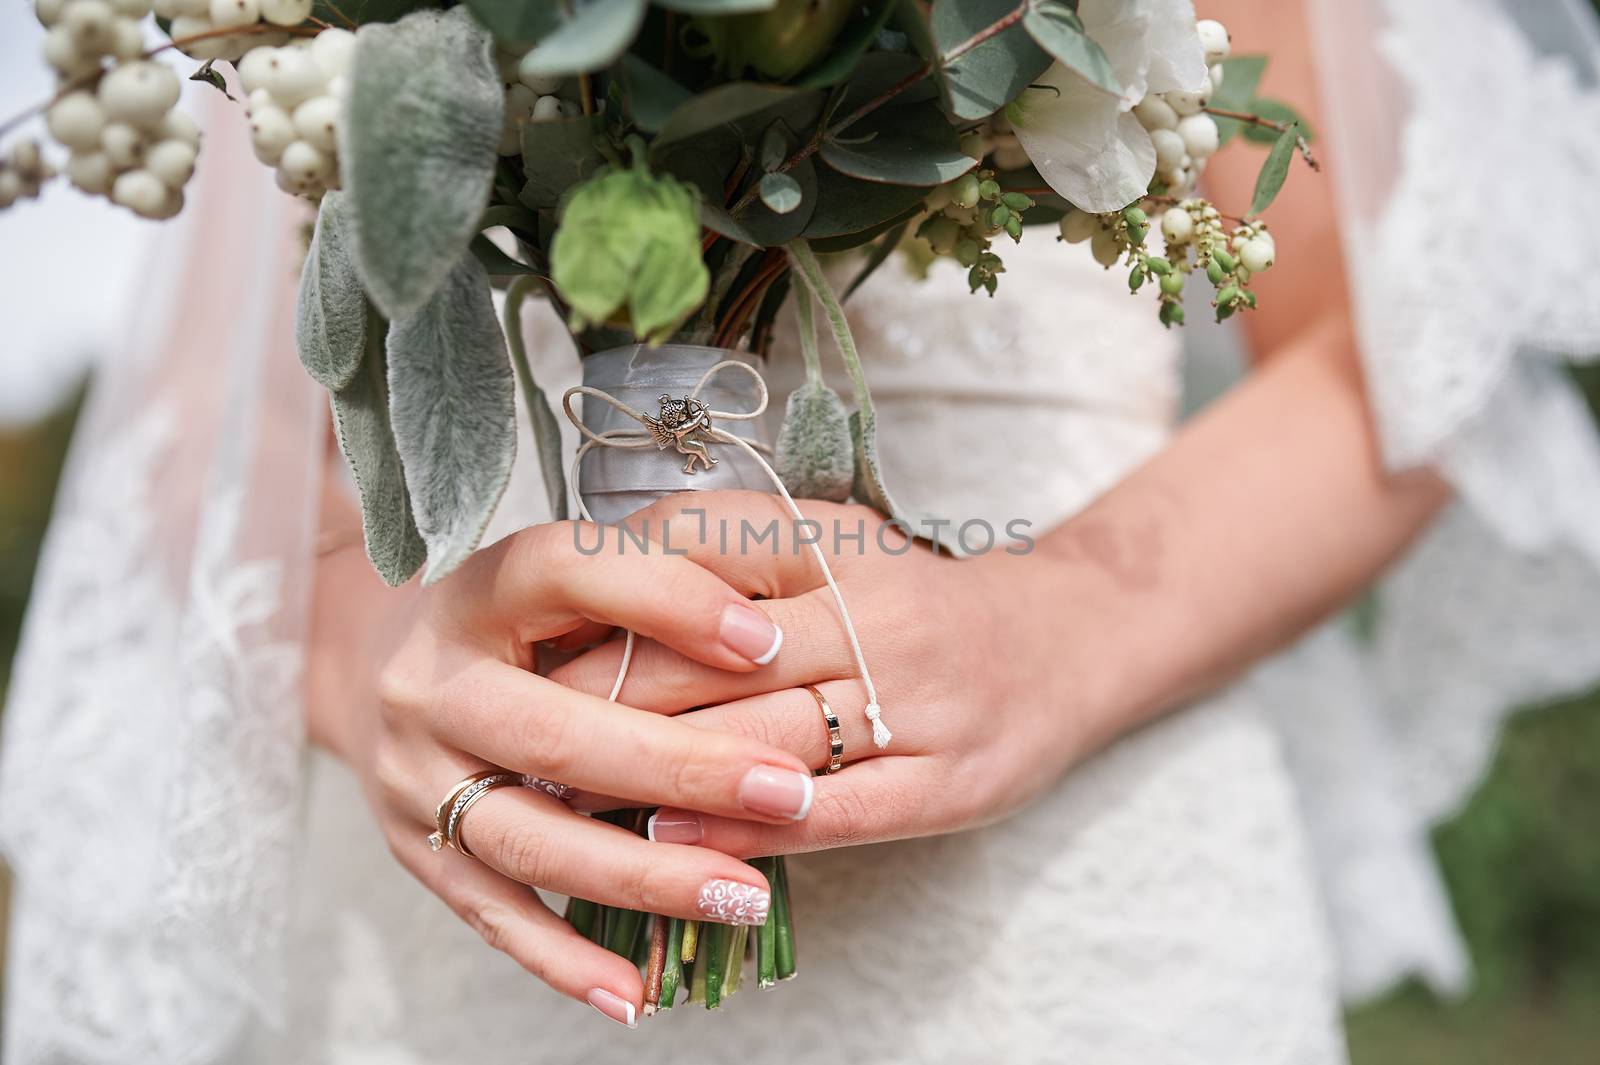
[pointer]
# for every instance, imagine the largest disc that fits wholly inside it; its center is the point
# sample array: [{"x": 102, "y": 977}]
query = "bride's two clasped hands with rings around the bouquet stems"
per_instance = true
[{"x": 711, "y": 725}]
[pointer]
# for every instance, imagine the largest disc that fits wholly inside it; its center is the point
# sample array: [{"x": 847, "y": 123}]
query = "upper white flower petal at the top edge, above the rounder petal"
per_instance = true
[{"x": 1153, "y": 44}]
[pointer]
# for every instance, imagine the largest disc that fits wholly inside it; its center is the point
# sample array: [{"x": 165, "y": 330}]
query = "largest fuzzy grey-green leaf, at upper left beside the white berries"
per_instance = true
[{"x": 422, "y": 126}]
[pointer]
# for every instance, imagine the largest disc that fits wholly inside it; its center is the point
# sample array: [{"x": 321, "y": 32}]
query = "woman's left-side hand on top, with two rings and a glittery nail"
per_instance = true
[{"x": 457, "y": 695}]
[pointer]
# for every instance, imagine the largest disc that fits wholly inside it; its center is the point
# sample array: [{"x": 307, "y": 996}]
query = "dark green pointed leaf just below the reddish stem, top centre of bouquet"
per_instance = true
[{"x": 900, "y": 146}]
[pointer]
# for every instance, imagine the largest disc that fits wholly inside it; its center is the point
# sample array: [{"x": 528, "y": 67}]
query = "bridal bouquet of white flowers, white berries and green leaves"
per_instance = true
[{"x": 666, "y": 174}]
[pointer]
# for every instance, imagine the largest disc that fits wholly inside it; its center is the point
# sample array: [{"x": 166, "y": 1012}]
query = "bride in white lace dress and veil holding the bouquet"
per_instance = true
[{"x": 1089, "y": 839}]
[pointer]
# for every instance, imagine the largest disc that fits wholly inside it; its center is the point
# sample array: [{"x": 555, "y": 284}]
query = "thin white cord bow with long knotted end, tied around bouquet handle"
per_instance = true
[{"x": 644, "y": 439}]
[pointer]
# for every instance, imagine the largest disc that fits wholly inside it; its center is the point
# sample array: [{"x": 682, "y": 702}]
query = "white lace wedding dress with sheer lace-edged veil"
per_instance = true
[{"x": 190, "y": 890}]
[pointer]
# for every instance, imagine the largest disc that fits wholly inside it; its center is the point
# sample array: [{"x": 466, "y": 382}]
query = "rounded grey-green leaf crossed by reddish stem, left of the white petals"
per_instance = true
[{"x": 990, "y": 76}]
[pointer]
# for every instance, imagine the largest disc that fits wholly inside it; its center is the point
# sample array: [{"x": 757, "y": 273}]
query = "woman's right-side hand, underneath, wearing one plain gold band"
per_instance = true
[{"x": 966, "y": 658}]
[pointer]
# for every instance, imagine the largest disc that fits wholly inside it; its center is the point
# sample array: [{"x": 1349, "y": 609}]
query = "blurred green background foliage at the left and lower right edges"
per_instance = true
[{"x": 1522, "y": 860}]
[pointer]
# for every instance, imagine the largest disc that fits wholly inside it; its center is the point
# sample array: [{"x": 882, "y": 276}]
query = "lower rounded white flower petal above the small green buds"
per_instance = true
[{"x": 1084, "y": 145}]
